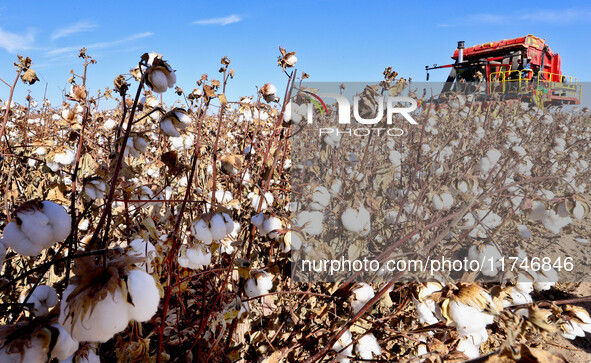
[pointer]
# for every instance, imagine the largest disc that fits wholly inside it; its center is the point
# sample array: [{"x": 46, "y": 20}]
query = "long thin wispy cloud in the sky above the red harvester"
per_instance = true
[{"x": 561, "y": 16}]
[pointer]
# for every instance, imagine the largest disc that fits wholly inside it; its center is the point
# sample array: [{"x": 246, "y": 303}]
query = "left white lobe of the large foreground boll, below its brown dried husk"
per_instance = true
[{"x": 109, "y": 317}]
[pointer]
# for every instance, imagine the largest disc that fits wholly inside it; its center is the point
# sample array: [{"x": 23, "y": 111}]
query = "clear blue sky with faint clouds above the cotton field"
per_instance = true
[{"x": 334, "y": 40}]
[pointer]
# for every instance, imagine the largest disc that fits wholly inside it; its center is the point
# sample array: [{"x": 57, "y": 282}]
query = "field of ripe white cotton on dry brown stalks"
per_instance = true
[{"x": 155, "y": 232}]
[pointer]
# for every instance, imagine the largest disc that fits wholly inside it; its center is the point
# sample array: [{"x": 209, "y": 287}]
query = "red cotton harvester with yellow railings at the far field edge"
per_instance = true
[{"x": 523, "y": 69}]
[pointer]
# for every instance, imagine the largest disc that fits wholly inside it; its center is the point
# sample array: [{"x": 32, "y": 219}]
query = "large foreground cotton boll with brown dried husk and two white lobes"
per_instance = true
[{"x": 101, "y": 300}]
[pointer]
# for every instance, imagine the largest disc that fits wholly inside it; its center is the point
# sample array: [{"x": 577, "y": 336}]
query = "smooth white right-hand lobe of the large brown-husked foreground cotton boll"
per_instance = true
[{"x": 144, "y": 295}]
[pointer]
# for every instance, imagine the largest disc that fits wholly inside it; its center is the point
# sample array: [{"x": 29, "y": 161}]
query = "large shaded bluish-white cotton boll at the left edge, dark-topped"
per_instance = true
[{"x": 37, "y": 226}]
